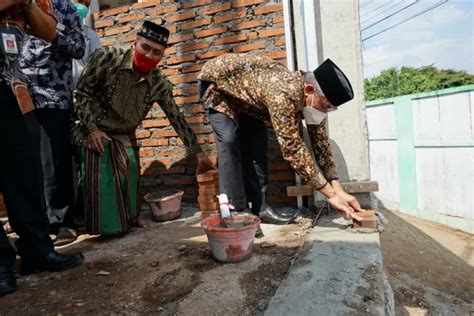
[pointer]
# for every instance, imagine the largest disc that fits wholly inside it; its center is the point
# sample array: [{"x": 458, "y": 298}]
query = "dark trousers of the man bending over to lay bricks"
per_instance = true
[{"x": 242, "y": 158}]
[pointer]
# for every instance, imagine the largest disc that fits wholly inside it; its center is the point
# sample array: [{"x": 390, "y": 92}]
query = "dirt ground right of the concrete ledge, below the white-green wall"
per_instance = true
[{"x": 430, "y": 267}]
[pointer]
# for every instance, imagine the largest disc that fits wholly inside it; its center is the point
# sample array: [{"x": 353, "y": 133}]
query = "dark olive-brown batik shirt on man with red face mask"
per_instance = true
[{"x": 111, "y": 99}]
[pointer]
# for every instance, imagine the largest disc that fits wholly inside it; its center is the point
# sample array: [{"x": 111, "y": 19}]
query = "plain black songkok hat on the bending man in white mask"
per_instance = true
[{"x": 334, "y": 83}]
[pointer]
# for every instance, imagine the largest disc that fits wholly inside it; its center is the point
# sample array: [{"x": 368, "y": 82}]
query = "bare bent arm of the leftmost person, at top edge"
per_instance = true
[{"x": 40, "y": 18}]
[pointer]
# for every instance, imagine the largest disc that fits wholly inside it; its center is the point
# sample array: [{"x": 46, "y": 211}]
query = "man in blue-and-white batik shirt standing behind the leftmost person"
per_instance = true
[{"x": 48, "y": 68}]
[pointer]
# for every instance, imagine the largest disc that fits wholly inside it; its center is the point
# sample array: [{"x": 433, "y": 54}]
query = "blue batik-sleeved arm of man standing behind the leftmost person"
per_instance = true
[{"x": 70, "y": 41}]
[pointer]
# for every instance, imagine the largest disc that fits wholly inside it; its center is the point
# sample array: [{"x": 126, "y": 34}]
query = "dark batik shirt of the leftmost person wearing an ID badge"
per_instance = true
[{"x": 13, "y": 18}]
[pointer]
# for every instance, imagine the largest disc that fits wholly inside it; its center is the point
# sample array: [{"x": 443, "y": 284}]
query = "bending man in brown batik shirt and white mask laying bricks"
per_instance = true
[{"x": 243, "y": 91}]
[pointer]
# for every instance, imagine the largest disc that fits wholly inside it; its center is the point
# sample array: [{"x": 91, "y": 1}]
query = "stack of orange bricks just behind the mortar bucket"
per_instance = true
[{"x": 208, "y": 191}]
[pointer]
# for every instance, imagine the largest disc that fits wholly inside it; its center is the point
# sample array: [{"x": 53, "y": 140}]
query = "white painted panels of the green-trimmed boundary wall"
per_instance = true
[{"x": 443, "y": 128}]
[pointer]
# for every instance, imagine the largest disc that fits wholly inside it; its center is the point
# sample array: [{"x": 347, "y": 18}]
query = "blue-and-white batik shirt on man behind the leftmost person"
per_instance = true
[{"x": 48, "y": 66}]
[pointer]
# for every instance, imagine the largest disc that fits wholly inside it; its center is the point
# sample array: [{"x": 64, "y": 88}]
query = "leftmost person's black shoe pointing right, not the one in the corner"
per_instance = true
[{"x": 53, "y": 262}]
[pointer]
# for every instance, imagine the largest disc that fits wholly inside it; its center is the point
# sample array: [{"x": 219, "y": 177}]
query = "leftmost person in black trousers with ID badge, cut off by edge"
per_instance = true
[{"x": 20, "y": 166}]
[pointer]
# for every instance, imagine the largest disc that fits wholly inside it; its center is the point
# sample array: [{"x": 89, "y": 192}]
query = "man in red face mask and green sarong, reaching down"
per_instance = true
[{"x": 117, "y": 89}]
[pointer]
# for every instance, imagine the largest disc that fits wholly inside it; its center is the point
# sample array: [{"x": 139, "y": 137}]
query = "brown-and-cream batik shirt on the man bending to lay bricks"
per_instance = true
[{"x": 265, "y": 89}]
